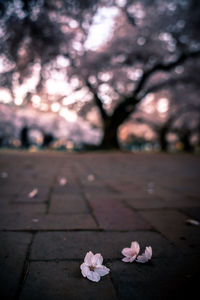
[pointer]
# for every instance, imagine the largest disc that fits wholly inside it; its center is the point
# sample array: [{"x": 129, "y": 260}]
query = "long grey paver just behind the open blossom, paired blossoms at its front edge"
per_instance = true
[{"x": 74, "y": 245}]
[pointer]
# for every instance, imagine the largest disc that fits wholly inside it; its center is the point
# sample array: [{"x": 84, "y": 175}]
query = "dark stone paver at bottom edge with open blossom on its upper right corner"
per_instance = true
[{"x": 63, "y": 280}]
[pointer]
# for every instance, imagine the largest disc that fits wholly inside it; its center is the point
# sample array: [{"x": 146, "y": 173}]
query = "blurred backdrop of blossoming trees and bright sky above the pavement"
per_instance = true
[{"x": 105, "y": 74}]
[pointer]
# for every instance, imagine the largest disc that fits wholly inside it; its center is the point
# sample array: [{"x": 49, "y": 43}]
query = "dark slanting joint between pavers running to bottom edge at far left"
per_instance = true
[{"x": 25, "y": 269}]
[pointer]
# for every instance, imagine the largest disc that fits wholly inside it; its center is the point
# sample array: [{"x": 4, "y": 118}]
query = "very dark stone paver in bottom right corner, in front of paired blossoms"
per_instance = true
[{"x": 174, "y": 278}]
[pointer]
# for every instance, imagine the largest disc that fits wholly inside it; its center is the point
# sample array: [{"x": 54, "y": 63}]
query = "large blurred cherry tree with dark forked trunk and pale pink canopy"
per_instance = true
[{"x": 104, "y": 57}]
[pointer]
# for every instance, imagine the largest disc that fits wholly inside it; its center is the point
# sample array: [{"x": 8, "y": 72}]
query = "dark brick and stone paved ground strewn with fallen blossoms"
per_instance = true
[{"x": 110, "y": 200}]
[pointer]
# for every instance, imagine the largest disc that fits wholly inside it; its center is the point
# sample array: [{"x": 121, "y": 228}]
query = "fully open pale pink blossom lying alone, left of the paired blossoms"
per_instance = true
[{"x": 92, "y": 267}]
